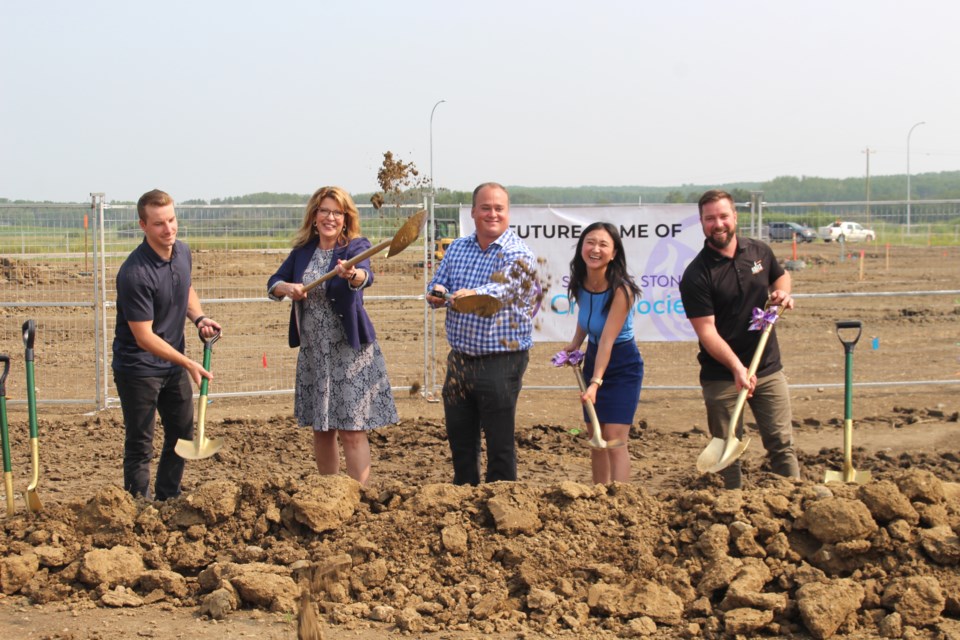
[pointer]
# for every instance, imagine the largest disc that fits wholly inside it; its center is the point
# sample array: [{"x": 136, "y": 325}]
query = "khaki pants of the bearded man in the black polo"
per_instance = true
[{"x": 770, "y": 405}]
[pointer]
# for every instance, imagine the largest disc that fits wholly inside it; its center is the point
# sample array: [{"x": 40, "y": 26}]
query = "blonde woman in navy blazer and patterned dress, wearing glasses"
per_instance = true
[{"x": 342, "y": 389}]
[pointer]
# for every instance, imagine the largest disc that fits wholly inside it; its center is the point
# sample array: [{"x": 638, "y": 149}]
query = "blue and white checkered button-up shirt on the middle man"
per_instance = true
[{"x": 506, "y": 271}]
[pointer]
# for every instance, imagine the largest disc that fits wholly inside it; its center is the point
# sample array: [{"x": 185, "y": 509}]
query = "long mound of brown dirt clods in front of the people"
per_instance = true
[{"x": 782, "y": 557}]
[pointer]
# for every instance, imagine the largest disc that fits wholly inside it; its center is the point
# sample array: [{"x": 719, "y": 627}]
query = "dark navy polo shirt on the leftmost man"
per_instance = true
[{"x": 150, "y": 288}]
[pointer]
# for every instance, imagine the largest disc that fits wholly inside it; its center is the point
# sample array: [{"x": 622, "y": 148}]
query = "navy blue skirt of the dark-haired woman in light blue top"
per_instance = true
[{"x": 619, "y": 396}]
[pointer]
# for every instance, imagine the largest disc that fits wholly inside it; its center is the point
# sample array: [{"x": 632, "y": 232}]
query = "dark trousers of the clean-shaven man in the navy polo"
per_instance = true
[{"x": 141, "y": 399}]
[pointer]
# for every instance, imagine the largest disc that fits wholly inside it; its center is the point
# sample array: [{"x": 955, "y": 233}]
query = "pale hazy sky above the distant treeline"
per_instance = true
[{"x": 207, "y": 99}]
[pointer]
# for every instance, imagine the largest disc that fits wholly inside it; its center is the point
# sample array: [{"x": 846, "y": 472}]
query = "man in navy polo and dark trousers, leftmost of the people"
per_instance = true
[{"x": 150, "y": 370}]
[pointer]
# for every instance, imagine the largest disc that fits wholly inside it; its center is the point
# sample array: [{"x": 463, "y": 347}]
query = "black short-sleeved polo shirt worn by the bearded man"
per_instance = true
[{"x": 730, "y": 289}]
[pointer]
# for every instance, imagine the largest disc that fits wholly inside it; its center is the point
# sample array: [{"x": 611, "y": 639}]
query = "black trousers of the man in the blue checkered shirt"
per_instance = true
[{"x": 480, "y": 396}]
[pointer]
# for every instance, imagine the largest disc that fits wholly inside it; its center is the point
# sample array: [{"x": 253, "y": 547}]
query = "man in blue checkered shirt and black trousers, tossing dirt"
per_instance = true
[{"x": 488, "y": 356}]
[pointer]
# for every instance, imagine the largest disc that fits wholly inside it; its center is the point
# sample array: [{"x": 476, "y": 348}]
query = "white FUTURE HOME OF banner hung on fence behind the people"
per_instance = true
[{"x": 659, "y": 240}]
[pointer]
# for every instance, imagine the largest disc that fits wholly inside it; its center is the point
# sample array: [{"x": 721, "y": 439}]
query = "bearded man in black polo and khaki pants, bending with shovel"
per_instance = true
[{"x": 720, "y": 288}]
